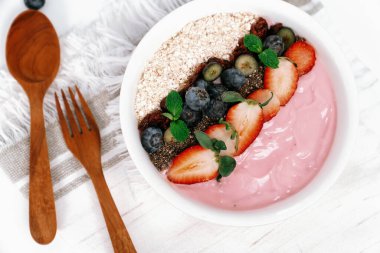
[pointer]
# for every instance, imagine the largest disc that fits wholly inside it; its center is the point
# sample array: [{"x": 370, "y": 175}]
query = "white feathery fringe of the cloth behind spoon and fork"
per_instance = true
[{"x": 94, "y": 59}]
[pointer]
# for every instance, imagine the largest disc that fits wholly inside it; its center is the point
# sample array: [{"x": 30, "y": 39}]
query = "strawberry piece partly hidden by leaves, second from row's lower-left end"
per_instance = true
[{"x": 220, "y": 132}]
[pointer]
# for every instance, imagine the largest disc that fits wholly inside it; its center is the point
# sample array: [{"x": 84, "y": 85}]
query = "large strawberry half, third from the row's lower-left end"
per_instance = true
[{"x": 248, "y": 121}]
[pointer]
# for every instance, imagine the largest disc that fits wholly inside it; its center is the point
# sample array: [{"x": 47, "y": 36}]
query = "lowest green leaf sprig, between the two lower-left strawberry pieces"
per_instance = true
[{"x": 226, "y": 163}]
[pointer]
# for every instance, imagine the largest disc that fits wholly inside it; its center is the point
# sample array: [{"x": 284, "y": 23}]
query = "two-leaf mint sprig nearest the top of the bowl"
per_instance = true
[{"x": 254, "y": 44}]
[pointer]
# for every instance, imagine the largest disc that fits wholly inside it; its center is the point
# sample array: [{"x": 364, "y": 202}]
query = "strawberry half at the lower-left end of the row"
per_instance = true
[{"x": 194, "y": 165}]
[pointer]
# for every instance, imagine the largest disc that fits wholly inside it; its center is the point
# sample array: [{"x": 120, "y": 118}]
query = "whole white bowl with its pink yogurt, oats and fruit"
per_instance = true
[{"x": 237, "y": 112}]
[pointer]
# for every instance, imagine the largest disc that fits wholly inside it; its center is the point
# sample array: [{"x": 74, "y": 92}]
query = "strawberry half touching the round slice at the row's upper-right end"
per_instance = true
[{"x": 282, "y": 80}]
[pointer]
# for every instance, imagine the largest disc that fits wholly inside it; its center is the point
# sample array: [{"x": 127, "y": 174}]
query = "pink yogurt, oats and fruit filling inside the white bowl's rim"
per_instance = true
[{"x": 220, "y": 120}]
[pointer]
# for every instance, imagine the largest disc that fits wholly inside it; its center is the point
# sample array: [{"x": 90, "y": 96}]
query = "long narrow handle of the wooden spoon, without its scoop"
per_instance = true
[{"x": 42, "y": 219}]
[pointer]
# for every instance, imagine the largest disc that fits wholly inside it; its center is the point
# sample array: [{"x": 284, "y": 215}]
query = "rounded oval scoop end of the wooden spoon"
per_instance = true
[{"x": 31, "y": 50}]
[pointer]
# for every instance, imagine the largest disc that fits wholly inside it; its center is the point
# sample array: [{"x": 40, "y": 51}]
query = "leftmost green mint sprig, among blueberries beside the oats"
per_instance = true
[{"x": 178, "y": 127}]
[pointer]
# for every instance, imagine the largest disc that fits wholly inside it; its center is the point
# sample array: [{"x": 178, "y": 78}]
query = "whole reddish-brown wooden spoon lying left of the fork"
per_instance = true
[{"x": 33, "y": 58}]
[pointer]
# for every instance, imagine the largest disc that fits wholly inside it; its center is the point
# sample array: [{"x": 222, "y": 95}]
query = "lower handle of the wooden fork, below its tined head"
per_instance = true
[{"x": 121, "y": 241}]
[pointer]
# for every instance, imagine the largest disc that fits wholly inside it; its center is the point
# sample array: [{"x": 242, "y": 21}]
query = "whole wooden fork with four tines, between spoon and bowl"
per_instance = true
[{"x": 84, "y": 142}]
